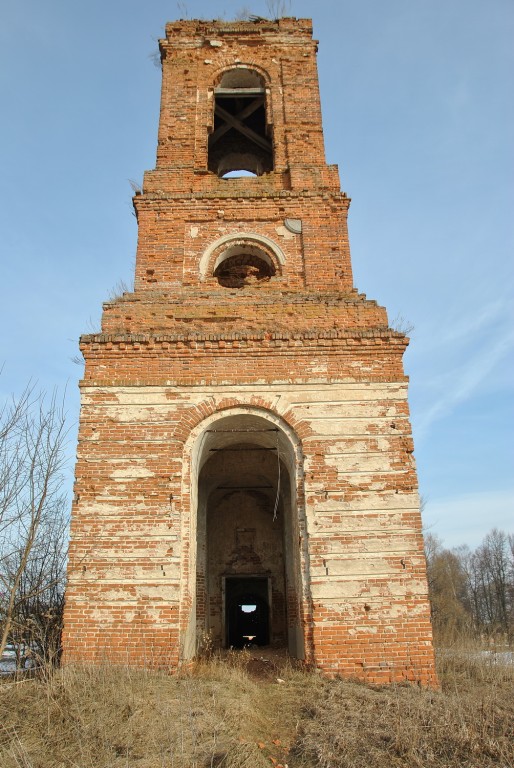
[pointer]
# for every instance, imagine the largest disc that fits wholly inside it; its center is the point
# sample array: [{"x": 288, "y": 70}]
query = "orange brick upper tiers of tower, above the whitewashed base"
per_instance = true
[{"x": 265, "y": 251}]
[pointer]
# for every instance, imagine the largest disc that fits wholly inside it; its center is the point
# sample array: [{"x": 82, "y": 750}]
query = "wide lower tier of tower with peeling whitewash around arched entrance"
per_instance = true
[{"x": 221, "y": 502}]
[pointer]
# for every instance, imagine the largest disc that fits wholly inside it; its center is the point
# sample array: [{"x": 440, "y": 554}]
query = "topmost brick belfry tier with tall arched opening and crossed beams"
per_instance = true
[{"x": 240, "y": 96}]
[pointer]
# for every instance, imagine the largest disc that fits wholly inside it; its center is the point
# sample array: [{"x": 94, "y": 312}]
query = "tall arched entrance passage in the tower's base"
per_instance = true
[{"x": 248, "y": 571}]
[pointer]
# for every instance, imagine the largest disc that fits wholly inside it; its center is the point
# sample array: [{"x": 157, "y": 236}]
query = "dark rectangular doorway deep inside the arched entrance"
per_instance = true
[{"x": 247, "y": 611}]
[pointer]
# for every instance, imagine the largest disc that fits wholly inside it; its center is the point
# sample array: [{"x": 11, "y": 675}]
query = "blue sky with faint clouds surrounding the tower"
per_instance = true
[{"x": 418, "y": 114}]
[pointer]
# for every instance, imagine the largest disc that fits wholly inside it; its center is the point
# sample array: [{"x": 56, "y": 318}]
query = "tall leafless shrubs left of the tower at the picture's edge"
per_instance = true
[{"x": 33, "y": 524}]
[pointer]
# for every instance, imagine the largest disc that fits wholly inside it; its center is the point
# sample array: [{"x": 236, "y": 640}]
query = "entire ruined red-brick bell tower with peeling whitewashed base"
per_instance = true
[{"x": 245, "y": 468}]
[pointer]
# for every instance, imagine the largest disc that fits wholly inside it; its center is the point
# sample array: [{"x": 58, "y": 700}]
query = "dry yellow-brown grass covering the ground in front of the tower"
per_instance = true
[{"x": 232, "y": 713}]
